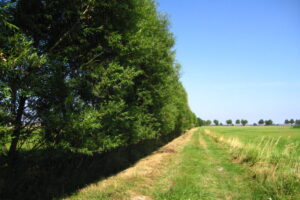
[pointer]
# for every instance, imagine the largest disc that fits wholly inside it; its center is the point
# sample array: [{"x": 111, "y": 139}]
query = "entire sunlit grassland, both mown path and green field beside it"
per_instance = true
[{"x": 212, "y": 163}]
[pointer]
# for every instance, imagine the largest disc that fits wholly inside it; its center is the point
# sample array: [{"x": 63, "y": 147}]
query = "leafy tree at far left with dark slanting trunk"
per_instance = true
[{"x": 21, "y": 72}]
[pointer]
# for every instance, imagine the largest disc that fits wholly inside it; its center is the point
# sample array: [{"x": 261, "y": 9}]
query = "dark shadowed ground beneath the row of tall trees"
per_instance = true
[{"x": 53, "y": 174}]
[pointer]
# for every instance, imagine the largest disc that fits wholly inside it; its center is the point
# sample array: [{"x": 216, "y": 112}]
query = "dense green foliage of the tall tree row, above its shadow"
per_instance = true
[{"x": 87, "y": 75}]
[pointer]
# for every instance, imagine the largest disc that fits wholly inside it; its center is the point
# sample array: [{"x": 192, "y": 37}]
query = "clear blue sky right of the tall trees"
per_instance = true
[{"x": 240, "y": 58}]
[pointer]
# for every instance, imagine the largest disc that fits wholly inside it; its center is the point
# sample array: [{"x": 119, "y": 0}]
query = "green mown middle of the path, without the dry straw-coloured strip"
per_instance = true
[{"x": 205, "y": 172}]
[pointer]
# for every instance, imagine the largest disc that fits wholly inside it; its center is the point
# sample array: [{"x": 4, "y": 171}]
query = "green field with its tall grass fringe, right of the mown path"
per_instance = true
[{"x": 272, "y": 154}]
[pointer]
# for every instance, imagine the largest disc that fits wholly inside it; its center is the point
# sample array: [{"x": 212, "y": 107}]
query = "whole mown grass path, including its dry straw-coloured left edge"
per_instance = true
[{"x": 201, "y": 170}]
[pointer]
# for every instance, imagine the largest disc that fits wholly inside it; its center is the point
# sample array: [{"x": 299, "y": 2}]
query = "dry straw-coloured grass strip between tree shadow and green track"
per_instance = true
[{"x": 138, "y": 181}]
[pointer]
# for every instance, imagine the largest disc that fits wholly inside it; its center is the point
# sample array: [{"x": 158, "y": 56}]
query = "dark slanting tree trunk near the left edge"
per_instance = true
[{"x": 17, "y": 131}]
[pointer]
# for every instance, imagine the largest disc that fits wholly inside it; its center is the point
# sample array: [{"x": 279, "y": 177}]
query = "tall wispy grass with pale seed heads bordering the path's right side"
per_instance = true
[{"x": 277, "y": 169}]
